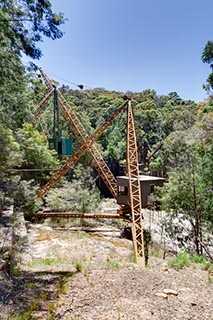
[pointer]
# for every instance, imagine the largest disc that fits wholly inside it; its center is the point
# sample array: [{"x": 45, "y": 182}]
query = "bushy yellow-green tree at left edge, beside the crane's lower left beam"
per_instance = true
[{"x": 27, "y": 149}]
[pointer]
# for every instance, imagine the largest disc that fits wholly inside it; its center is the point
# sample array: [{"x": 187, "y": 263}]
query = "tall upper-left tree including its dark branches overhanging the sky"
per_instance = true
[{"x": 23, "y": 24}]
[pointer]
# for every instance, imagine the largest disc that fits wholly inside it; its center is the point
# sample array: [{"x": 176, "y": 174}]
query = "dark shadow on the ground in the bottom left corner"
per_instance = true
[{"x": 31, "y": 295}]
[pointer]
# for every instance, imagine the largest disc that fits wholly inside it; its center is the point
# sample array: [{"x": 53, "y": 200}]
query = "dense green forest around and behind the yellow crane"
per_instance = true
[{"x": 174, "y": 136}]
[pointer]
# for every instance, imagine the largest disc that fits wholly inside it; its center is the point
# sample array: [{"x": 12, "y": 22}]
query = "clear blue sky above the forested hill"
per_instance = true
[{"x": 132, "y": 45}]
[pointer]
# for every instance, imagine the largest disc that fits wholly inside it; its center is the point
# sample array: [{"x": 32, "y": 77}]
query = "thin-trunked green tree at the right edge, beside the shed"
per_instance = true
[{"x": 188, "y": 191}]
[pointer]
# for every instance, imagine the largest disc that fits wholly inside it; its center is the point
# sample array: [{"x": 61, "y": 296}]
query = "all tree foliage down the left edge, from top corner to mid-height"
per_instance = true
[{"x": 22, "y": 26}]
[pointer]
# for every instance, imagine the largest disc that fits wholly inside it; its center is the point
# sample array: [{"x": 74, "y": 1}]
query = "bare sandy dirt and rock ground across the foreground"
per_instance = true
[{"x": 66, "y": 274}]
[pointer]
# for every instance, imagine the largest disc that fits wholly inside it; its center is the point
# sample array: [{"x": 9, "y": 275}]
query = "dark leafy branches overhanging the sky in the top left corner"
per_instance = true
[{"x": 25, "y": 22}]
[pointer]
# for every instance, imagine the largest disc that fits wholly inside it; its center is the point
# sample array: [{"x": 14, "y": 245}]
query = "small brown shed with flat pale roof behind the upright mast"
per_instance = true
[{"x": 147, "y": 186}]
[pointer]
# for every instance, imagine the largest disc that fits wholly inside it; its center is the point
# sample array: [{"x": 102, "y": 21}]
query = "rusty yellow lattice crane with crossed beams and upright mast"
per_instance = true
[{"x": 103, "y": 170}]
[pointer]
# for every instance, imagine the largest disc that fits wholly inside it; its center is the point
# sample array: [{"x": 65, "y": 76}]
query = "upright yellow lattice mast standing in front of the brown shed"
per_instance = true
[{"x": 134, "y": 188}]
